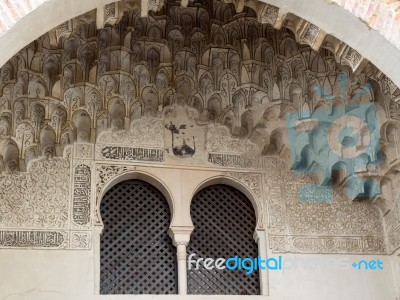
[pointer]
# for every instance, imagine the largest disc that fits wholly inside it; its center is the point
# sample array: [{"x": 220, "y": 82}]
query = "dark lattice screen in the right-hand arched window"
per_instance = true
[{"x": 224, "y": 223}]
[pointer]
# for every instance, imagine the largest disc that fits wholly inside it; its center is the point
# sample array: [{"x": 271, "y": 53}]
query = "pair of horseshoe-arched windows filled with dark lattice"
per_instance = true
[{"x": 137, "y": 255}]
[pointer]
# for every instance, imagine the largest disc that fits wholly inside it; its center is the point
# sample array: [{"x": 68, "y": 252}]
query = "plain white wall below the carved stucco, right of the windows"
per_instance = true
[{"x": 329, "y": 280}]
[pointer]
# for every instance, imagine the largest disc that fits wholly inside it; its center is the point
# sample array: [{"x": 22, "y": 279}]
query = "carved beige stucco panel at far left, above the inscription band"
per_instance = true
[{"x": 39, "y": 198}]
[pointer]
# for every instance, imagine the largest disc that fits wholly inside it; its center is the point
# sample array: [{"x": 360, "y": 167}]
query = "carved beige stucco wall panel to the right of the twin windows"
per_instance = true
[{"x": 335, "y": 227}]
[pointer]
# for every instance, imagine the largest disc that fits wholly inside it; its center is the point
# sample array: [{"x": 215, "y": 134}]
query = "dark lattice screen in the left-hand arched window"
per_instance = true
[{"x": 137, "y": 256}]
